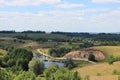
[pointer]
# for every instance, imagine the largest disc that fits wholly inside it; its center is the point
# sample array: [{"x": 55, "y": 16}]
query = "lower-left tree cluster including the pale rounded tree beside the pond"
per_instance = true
[{"x": 20, "y": 65}]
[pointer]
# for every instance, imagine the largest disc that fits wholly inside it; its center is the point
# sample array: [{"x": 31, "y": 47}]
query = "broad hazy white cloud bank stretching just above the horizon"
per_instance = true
[{"x": 75, "y": 20}]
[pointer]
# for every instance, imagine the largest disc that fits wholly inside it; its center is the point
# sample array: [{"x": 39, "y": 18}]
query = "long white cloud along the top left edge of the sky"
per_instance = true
[{"x": 27, "y": 2}]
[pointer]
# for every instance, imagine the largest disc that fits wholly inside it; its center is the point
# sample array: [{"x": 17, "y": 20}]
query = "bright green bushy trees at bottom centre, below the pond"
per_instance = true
[{"x": 55, "y": 73}]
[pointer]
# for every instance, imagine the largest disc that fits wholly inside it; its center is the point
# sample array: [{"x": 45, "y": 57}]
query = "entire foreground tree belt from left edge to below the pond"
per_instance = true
[{"x": 20, "y": 65}]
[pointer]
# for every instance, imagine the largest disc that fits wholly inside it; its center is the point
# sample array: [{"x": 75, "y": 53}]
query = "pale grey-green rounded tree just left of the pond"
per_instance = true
[{"x": 36, "y": 66}]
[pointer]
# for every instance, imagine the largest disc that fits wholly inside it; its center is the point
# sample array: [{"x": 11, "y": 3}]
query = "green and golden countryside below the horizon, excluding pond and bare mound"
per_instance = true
[{"x": 18, "y": 63}]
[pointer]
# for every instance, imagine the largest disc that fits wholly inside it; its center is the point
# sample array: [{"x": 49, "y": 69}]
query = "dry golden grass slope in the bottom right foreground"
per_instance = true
[{"x": 103, "y": 69}]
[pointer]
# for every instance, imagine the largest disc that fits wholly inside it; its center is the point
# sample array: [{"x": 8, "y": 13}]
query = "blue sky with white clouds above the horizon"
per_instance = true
[{"x": 60, "y": 15}]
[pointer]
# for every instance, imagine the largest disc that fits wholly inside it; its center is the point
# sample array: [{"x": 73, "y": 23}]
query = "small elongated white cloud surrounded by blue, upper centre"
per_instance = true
[{"x": 67, "y": 5}]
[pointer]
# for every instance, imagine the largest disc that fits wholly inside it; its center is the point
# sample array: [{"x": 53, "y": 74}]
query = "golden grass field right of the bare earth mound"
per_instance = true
[{"x": 109, "y": 50}]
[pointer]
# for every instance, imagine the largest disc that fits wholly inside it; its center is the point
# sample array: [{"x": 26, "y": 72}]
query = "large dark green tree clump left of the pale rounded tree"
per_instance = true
[{"x": 19, "y": 58}]
